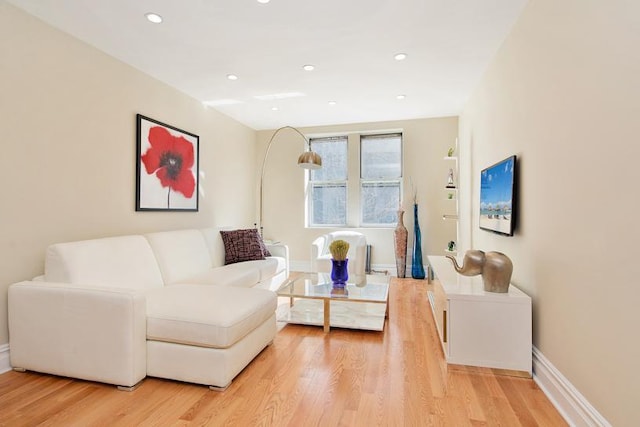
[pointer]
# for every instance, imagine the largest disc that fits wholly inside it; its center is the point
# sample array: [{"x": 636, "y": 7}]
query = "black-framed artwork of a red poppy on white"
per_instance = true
[{"x": 166, "y": 168}]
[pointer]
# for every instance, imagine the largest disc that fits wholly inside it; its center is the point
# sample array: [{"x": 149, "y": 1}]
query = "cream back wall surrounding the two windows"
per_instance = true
[{"x": 426, "y": 142}]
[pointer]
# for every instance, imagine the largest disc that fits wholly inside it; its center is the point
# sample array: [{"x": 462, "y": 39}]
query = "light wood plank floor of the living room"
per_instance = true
[{"x": 305, "y": 378}]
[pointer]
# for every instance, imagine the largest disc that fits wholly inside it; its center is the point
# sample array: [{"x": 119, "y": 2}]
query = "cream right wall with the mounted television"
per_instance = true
[{"x": 562, "y": 94}]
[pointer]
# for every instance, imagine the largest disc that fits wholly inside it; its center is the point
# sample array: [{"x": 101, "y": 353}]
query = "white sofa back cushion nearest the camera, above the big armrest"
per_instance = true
[{"x": 120, "y": 262}]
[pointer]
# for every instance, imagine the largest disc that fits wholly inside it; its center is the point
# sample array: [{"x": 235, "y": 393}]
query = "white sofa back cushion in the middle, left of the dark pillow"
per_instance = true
[{"x": 180, "y": 253}]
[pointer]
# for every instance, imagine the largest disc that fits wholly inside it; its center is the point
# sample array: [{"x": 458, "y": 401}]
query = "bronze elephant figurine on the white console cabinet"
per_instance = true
[{"x": 495, "y": 267}]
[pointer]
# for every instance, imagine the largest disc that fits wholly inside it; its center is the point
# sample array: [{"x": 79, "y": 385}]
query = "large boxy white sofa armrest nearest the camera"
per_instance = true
[{"x": 96, "y": 334}]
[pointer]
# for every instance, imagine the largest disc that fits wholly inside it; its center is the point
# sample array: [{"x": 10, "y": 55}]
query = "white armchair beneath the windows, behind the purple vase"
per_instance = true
[{"x": 321, "y": 257}]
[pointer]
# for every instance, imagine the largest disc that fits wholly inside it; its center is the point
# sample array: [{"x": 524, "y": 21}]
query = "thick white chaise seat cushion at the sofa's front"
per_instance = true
[{"x": 206, "y": 316}]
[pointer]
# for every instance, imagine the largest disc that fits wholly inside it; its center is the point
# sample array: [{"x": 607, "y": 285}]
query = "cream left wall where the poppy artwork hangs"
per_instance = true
[{"x": 67, "y": 138}]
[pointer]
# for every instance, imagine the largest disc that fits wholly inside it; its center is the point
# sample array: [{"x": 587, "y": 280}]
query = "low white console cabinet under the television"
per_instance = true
[{"x": 479, "y": 328}]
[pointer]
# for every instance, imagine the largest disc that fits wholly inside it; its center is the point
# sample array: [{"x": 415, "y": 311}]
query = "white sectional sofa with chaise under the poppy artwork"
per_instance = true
[{"x": 164, "y": 304}]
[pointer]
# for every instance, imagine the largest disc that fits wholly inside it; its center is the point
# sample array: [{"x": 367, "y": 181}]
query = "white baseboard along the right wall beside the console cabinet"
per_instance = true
[{"x": 572, "y": 405}]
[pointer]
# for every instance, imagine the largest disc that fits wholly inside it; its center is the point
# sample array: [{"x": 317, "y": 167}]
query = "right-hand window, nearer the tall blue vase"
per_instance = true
[{"x": 380, "y": 179}]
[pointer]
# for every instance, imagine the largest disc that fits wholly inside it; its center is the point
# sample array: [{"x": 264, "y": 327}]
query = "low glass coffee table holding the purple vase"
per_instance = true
[{"x": 313, "y": 300}]
